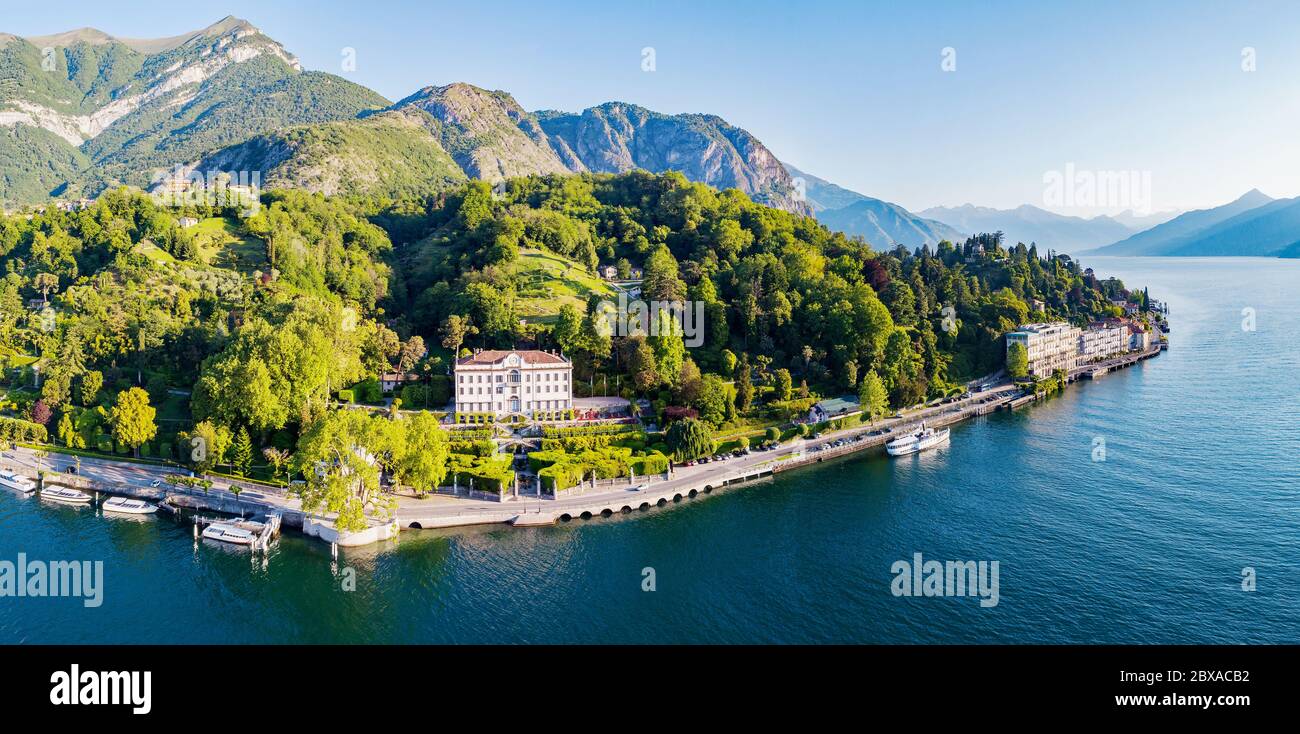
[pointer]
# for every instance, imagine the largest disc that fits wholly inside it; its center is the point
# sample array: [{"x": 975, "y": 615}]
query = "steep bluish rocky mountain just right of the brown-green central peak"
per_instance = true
[{"x": 618, "y": 137}]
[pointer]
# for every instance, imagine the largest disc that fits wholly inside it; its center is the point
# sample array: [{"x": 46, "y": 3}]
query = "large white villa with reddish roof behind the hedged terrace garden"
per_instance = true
[{"x": 506, "y": 383}]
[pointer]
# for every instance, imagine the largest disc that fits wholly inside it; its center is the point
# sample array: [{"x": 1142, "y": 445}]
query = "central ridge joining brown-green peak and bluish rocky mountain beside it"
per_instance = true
[{"x": 448, "y": 133}]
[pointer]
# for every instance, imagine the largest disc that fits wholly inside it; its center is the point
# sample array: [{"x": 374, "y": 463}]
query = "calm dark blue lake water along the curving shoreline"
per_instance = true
[{"x": 1201, "y": 481}]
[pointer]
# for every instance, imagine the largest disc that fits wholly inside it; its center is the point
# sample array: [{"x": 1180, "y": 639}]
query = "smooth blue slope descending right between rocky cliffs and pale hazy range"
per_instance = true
[{"x": 882, "y": 224}]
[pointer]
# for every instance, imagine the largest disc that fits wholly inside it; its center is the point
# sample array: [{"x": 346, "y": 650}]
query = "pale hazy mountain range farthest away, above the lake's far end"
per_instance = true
[{"x": 1033, "y": 225}]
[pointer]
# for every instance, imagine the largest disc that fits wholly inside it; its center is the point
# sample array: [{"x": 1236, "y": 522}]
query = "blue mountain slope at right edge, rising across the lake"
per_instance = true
[{"x": 1253, "y": 225}]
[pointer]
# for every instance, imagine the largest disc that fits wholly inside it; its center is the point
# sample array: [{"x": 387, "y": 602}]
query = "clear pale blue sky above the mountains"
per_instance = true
[{"x": 846, "y": 90}]
